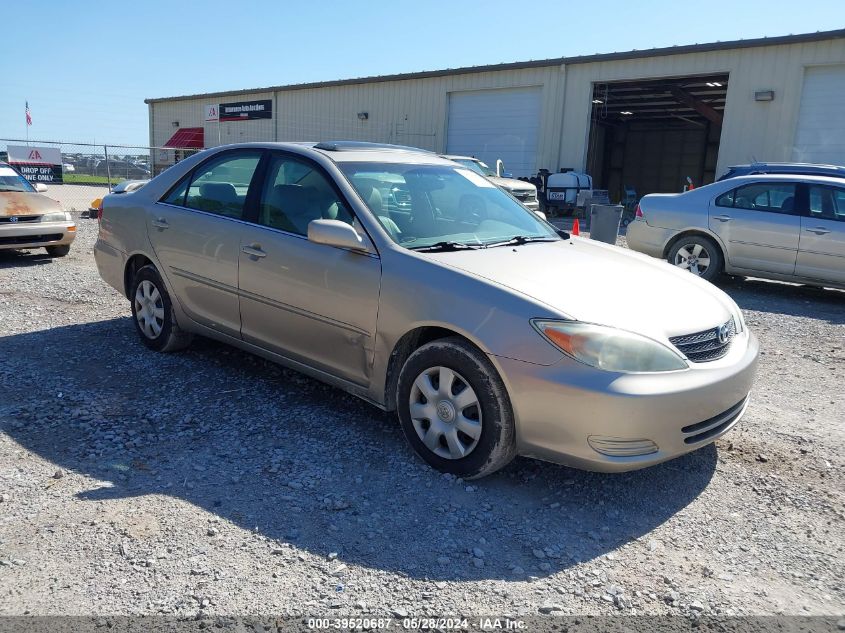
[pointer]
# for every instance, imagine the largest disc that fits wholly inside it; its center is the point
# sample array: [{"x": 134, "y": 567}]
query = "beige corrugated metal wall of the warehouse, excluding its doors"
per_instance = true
[{"x": 414, "y": 111}]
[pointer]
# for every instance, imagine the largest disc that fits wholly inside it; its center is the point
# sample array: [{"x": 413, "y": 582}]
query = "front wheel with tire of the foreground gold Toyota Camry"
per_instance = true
[{"x": 442, "y": 427}]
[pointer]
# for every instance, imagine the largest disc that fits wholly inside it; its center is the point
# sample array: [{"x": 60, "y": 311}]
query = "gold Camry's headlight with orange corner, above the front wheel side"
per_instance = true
[{"x": 608, "y": 348}]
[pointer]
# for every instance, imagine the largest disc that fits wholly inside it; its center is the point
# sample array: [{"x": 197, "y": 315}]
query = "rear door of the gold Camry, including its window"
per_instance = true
[{"x": 196, "y": 230}]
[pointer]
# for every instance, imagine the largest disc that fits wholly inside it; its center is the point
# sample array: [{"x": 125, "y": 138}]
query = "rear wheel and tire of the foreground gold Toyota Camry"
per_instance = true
[{"x": 152, "y": 313}]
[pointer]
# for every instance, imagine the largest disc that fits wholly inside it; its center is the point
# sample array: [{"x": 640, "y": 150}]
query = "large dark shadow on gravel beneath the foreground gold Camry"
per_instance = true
[{"x": 270, "y": 450}]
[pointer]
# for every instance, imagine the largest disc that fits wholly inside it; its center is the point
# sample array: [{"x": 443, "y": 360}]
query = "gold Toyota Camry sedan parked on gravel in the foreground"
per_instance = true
[{"x": 421, "y": 287}]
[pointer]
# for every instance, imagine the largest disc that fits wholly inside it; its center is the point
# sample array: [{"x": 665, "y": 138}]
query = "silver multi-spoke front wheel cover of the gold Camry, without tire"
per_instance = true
[{"x": 445, "y": 412}]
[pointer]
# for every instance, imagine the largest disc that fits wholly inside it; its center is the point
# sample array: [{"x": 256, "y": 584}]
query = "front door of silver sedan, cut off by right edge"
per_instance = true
[{"x": 821, "y": 249}]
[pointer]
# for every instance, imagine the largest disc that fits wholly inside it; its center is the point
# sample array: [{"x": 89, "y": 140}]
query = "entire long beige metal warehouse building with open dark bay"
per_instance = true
[{"x": 641, "y": 119}]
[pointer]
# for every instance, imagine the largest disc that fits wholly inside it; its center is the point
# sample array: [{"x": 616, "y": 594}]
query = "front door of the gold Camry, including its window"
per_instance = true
[{"x": 310, "y": 302}]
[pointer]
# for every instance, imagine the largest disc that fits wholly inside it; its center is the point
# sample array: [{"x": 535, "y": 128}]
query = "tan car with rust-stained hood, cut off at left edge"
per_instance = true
[{"x": 29, "y": 219}]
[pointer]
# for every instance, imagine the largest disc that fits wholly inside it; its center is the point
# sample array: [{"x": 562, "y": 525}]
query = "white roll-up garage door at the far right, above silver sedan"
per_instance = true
[{"x": 820, "y": 135}]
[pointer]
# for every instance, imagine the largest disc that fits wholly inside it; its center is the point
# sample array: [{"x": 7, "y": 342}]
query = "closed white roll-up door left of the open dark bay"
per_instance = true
[{"x": 491, "y": 124}]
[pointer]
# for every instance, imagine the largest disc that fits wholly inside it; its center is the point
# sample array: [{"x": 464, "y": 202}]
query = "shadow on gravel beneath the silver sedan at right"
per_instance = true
[{"x": 786, "y": 298}]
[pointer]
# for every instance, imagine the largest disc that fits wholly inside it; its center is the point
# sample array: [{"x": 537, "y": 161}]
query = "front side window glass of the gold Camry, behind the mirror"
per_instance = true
[{"x": 295, "y": 193}]
